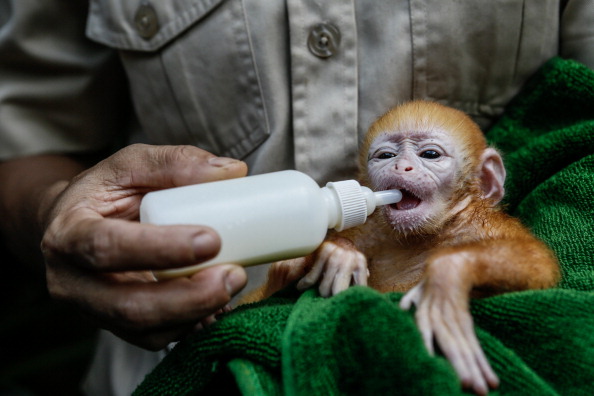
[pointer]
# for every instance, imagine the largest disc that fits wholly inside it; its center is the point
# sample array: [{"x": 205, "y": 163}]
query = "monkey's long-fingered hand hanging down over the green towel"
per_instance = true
[{"x": 443, "y": 315}]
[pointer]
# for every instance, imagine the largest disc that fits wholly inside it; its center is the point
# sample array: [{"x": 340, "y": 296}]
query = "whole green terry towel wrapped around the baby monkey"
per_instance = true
[{"x": 359, "y": 342}]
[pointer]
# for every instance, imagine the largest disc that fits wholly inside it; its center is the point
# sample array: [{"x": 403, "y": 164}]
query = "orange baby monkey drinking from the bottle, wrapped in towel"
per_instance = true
[{"x": 444, "y": 242}]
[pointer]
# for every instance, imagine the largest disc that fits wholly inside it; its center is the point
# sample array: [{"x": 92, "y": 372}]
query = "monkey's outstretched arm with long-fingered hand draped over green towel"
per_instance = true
[{"x": 453, "y": 274}]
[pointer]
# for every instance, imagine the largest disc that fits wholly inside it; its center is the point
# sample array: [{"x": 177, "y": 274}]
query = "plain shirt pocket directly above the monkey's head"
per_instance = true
[{"x": 476, "y": 55}]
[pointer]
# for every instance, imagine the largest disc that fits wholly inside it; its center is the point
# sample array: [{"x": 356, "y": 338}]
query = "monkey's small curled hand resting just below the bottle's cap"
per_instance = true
[{"x": 336, "y": 265}]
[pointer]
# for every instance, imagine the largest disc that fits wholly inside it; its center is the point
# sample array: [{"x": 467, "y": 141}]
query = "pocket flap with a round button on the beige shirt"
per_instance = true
[{"x": 143, "y": 25}]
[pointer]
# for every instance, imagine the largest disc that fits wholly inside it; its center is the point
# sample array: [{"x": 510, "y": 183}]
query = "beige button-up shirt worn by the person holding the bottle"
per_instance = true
[{"x": 279, "y": 83}]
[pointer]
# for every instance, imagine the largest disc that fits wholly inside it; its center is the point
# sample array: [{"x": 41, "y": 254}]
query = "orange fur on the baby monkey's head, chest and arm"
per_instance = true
[{"x": 505, "y": 256}]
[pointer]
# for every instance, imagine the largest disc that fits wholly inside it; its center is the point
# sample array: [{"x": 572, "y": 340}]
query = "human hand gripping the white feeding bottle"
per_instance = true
[{"x": 99, "y": 257}]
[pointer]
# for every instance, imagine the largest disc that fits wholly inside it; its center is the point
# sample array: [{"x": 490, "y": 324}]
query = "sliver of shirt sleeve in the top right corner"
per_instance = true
[{"x": 577, "y": 31}]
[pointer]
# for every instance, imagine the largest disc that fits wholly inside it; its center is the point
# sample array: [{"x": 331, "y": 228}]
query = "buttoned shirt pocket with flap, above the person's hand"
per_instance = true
[{"x": 191, "y": 70}]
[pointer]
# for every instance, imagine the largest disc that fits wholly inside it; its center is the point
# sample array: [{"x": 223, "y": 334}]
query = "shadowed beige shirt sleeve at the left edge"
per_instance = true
[{"x": 59, "y": 92}]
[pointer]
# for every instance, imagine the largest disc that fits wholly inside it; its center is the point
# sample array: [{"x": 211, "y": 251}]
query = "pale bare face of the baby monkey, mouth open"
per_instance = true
[{"x": 423, "y": 164}]
